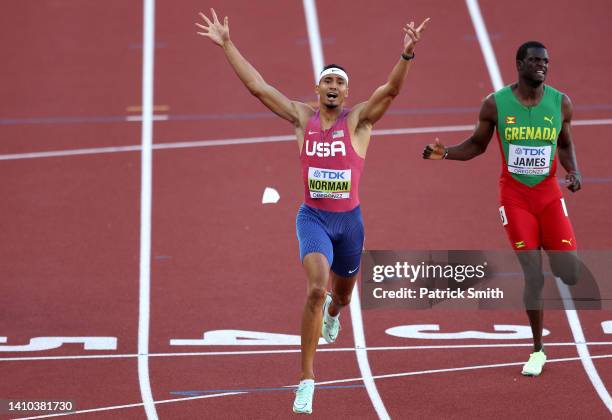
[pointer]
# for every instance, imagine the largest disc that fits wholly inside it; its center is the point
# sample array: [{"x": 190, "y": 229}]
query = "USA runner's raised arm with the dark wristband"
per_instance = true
[{"x": 373, "y": 109}]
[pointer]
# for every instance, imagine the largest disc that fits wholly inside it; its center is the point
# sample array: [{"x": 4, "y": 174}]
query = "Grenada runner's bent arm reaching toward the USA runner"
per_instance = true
[{"x": 476, "y": 144}]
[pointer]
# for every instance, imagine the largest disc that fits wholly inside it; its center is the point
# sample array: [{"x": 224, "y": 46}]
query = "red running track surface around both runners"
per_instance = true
[{"x": 223, "y": 261}]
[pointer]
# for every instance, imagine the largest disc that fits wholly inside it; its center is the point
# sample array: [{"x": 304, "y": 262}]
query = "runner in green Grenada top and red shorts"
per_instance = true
[{"x": 533, "y": 122}]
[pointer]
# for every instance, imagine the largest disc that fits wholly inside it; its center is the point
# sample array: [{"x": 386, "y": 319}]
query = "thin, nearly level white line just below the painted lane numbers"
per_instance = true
[{"x": 289, "y": 351}]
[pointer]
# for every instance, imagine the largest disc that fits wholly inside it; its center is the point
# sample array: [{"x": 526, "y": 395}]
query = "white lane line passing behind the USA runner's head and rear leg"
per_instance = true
[{"x": 316, "y": 51}]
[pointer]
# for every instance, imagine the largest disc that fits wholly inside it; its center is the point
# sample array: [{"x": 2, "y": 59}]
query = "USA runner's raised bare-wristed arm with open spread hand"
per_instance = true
[{"x": 295, "y": 112}]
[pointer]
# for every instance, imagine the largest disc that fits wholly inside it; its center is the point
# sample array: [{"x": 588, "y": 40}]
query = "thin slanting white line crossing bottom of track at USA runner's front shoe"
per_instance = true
[{"x": 336, "y": 381}]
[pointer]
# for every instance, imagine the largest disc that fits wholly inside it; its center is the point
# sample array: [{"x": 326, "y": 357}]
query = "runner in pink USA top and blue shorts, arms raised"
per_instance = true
[{"x": 333, "y": 141}]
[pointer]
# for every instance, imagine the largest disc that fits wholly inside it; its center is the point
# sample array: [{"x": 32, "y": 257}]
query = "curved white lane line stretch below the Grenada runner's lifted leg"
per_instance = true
[{"x": 583, "y": 350}]
